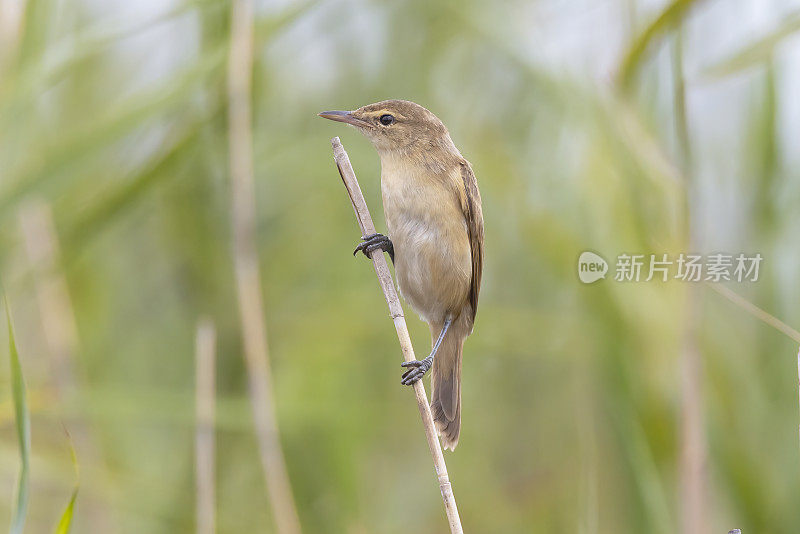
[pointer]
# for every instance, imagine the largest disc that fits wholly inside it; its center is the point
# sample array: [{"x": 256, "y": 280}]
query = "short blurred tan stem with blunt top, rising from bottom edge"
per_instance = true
[{"x": 205, "y": 395}]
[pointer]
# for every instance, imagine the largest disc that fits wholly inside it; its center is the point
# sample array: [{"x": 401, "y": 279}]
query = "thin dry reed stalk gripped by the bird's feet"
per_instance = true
[{"x": 396, "y": 311}]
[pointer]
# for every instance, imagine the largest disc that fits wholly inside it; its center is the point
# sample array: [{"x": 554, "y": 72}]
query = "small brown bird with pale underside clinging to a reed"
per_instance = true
[{"x": 433, "y": 210}]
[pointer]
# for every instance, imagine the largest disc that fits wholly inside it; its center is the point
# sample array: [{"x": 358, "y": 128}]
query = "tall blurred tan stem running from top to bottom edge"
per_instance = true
[{"x": 248, "y": 283}]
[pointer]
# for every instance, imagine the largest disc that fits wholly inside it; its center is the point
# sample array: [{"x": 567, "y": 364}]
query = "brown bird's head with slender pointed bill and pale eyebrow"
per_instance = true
[{"x": 394, "y": 124}]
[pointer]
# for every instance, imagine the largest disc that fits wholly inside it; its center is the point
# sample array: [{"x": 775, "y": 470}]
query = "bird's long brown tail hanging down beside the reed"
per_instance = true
[{"x": 446, "y": 386}]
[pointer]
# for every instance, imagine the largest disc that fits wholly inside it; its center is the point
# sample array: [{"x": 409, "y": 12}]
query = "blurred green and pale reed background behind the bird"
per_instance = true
[{"x": 617, "y": 126}]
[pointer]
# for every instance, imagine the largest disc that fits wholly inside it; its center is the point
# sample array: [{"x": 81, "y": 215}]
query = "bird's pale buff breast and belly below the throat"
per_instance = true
[{"x": 427, "y": 227}]
